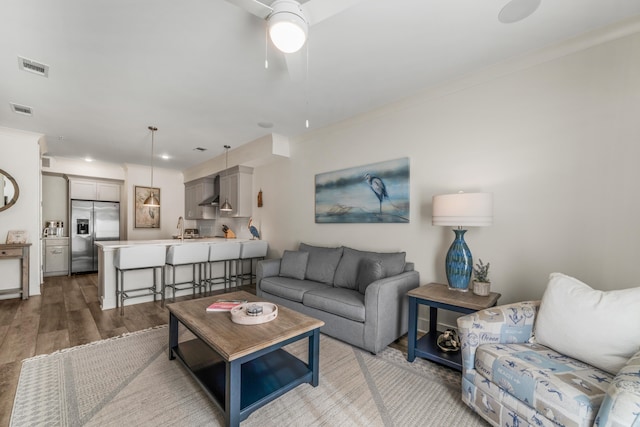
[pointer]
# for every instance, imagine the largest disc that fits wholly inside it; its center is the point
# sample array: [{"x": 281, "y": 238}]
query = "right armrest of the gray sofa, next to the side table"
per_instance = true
[{"x": 387, "y": 309}]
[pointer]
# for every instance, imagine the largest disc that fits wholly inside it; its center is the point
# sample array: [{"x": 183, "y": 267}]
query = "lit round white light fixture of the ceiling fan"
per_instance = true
[{"x": 287, "y": 26}]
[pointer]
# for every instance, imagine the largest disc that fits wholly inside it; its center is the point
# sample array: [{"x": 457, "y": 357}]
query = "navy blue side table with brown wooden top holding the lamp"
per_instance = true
[{"x": 435, "y": 296}]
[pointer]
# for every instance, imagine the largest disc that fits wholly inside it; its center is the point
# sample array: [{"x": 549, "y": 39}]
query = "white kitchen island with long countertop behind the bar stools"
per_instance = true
[{"x": 107, "y": 272}]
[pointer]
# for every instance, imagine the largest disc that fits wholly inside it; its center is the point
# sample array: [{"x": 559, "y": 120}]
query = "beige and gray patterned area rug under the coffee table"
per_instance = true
[{"x": 129, "y": 380}]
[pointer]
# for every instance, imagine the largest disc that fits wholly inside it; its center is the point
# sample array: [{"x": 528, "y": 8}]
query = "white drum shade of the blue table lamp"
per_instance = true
[{"x": 463, "y": 209}]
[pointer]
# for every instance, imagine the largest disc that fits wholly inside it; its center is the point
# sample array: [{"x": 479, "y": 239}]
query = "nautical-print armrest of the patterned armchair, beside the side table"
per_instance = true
[{"x": 510, "y": 323}]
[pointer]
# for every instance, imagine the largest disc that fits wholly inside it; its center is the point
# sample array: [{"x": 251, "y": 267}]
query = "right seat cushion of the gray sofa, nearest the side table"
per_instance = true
[{"x": 341, "y": 302}]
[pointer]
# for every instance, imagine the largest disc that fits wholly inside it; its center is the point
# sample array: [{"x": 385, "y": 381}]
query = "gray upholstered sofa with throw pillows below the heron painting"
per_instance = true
[{"x": 361, "y": 296}]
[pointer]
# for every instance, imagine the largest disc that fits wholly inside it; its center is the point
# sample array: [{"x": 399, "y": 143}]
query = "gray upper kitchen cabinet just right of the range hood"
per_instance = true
[{"x": 236, "y": 185}]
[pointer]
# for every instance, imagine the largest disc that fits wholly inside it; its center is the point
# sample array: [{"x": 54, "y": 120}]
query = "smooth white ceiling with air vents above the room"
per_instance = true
[{"x": 195, "y": 68}]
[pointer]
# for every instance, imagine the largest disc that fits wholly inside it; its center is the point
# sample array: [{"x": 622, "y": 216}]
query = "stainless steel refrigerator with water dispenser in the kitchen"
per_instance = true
[{"x": 91, "y": 222}]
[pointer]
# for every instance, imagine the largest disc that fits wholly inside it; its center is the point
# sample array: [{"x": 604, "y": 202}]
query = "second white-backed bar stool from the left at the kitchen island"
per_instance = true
[{"x": 194, "y": 254}]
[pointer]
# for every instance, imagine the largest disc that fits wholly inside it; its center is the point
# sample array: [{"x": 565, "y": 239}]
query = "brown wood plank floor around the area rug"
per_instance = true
[{"x": 66, "y": 314}]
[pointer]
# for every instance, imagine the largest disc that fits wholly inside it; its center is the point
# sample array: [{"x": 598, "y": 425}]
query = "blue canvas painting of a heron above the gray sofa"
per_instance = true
[{"x": 376, "y": 192}]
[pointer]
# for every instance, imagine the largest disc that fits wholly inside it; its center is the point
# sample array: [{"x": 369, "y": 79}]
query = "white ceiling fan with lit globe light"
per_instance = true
[{"x": 288, "y": 24}]
